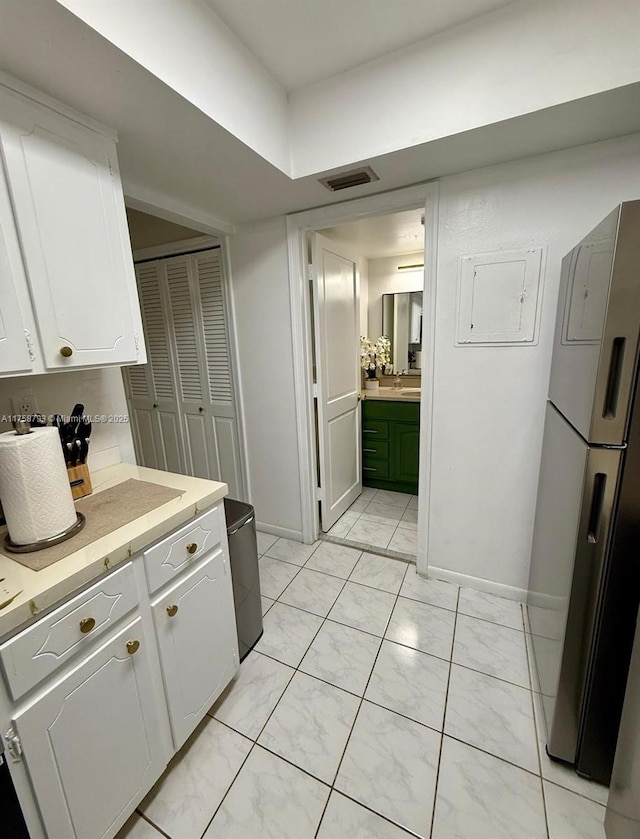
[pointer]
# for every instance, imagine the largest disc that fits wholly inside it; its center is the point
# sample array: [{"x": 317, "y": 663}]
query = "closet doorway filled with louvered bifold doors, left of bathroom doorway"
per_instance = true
[{"x": 183, "y": 403}]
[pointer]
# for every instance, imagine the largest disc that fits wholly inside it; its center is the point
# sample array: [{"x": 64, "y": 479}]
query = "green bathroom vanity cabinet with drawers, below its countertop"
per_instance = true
[{"x": 390, "y": 444}]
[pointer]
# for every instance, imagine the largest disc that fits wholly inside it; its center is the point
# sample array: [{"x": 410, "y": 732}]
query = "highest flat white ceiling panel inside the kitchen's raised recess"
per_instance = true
[{"x": 302, "y": 41}]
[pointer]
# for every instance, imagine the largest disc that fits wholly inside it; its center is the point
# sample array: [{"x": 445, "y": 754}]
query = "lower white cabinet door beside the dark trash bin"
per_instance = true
[{"x": 195, "y": 623}]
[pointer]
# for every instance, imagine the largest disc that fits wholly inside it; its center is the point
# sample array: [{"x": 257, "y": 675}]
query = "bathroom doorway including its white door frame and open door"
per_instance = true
[{"x": 371, "y": 489}]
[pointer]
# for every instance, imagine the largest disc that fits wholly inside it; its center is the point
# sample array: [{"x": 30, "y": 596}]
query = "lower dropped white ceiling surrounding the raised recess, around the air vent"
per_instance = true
[{"x": 181, "y": 160}]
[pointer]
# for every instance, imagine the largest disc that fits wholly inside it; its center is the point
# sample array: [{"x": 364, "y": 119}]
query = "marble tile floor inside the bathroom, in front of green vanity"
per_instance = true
[{"x": 380, "y": 520}]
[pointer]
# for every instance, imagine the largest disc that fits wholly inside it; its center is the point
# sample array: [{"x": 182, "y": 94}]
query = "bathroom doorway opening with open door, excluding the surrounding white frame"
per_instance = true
[{"x": 369, "y": 492}]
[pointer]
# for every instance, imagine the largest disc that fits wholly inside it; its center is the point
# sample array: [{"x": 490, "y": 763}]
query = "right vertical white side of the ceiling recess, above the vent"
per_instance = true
[{"x": 524, "y": 58}]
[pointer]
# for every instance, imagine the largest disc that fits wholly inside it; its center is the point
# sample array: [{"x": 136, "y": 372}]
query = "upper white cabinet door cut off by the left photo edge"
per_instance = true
[{"x": 16, "y": 352}]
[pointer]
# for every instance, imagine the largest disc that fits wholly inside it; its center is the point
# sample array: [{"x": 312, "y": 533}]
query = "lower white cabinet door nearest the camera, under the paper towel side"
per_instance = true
[{"x": 91, "y": 743}]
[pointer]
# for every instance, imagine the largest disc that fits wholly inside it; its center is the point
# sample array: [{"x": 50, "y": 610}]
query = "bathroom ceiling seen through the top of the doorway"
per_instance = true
[{"x": 382, "y": 236}]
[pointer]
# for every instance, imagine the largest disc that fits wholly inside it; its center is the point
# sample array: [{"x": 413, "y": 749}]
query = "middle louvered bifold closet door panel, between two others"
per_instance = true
[{"x": 191, "y": 376}]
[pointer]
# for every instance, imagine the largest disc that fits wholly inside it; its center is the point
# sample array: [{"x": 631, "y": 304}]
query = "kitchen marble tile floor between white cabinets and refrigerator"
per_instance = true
[{"x": 390, "y": 707}]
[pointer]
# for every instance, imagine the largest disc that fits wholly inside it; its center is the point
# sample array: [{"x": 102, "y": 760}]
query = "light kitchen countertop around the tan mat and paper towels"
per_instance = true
[{"x": 41, "y": 589}]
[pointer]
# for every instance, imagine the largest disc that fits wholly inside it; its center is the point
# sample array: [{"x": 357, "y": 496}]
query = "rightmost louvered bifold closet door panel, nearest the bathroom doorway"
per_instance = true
[{"x": 214, "y": 336}]
